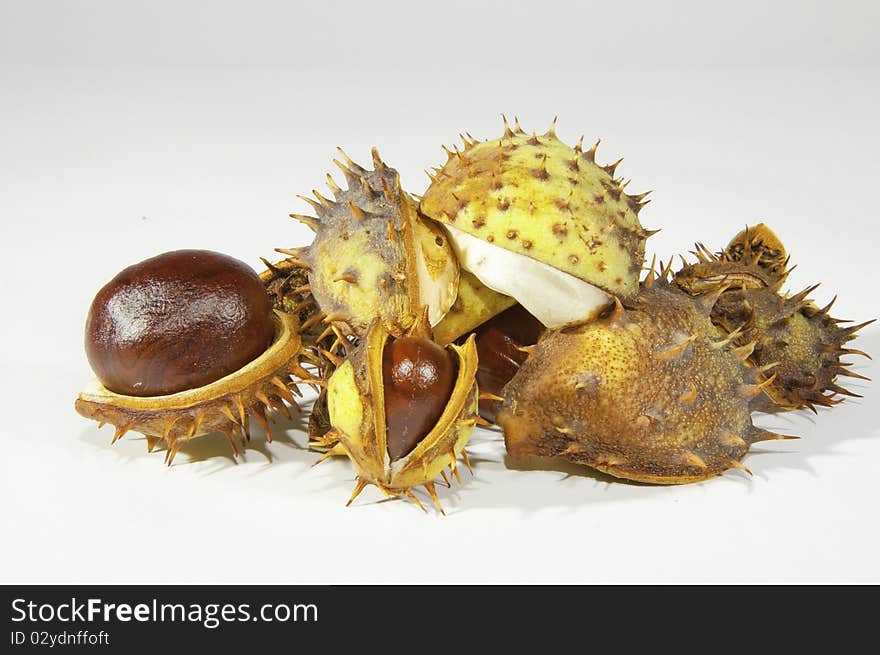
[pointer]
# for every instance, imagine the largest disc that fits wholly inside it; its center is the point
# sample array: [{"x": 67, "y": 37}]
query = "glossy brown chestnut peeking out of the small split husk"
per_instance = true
[{"x": 418, "y": 377}]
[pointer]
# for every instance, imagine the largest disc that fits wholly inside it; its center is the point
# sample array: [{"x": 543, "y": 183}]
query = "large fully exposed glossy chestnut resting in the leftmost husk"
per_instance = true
[{"x": 177, "y": 321}]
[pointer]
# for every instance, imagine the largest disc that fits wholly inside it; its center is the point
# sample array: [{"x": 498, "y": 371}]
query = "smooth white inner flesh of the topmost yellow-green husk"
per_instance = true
[{"x": 553, "y": 297}]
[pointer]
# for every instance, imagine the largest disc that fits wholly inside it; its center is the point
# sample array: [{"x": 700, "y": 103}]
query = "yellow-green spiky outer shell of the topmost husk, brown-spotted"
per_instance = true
[{"x": 540, "y": 198}]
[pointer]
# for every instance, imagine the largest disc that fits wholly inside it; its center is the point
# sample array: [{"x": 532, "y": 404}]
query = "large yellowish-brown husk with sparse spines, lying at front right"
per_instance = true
[{"x": 648, "y": 392}]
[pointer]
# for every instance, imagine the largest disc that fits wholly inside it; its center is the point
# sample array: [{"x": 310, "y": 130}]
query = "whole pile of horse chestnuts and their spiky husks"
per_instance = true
[{"x": 511, "y": 293}]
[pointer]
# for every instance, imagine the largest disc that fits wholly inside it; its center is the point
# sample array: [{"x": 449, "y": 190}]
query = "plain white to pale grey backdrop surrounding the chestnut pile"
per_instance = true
[{"x": 132, "y": 128}]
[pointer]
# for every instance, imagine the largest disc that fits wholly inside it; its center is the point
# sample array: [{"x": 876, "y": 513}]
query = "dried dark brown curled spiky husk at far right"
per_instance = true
[{"x": 800, "y": 342}]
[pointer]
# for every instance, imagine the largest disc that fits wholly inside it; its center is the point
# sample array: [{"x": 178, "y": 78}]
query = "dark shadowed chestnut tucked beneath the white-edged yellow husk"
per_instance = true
[{"x": 498, "y": 346}]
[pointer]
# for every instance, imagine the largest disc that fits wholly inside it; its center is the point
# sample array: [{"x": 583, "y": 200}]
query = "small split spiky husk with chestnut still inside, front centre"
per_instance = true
[{"x": 402, "y": 409}]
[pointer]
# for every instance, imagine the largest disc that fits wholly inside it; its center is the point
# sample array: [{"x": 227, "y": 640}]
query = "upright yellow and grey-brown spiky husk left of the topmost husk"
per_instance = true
[{"x": 373, "y": 254}]
